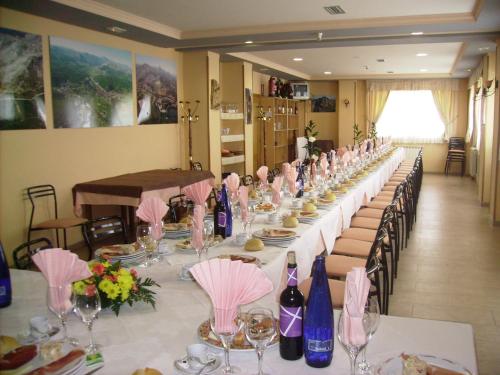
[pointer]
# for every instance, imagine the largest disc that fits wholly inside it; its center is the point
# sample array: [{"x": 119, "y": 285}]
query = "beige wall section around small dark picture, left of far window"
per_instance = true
[{"x": 327, "y": 122}]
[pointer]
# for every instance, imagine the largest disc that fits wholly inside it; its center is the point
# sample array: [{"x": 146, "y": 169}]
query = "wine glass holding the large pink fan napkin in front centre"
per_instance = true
[{"x": 226, "y": 323}]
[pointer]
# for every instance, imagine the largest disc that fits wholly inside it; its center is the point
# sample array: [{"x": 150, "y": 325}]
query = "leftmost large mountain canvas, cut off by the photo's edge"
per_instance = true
[{"x": 22, "y": 101}]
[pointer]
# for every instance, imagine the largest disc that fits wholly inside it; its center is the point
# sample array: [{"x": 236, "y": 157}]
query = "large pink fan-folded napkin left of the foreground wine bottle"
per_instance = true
[{"x": 230, "y": 284}]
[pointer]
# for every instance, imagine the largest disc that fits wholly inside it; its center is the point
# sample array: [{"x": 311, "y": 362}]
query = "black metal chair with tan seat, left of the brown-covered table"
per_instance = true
[{"x": 48, "y": 192}]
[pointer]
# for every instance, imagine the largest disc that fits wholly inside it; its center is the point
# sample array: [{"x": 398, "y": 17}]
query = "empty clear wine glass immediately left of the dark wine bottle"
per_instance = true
[{"x": 260, "y": 331}]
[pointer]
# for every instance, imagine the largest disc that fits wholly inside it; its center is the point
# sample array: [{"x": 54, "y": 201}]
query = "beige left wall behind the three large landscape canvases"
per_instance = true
[{"x": 64, "y": 157}]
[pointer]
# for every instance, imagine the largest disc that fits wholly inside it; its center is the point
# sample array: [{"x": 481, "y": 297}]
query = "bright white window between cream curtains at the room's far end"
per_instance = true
[{"x": 411, "y": 117}]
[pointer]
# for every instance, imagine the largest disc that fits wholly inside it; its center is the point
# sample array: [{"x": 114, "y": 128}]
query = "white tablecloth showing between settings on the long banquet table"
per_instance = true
[{"x": 141, "y": 336}]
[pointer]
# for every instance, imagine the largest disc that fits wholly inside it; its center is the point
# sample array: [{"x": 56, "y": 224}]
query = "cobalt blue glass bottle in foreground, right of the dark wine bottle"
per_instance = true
[{"x": 318, "y": 319}]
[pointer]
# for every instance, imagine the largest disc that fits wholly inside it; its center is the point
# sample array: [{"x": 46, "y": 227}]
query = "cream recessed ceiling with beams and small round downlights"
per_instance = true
[{"x": 456, "y": 33}]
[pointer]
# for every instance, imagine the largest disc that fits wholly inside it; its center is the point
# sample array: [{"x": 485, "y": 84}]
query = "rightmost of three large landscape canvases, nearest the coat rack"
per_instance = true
[{"x": 156, "y": 90}]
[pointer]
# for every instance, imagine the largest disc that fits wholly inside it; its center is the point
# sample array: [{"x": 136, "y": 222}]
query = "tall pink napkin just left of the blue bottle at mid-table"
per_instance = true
[{"x": 198, "y": 193}]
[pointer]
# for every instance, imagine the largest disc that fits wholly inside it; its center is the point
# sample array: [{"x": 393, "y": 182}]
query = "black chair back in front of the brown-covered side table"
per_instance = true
[{"x": 102, "y": 231}]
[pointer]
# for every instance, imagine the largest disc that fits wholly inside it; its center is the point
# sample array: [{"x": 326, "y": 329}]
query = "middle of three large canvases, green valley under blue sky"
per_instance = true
[{"x": 91, "y": 85}]
